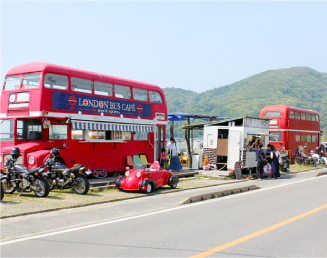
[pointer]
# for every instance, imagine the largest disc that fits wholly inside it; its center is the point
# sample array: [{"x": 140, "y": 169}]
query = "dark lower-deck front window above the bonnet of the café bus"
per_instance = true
[{"x": 29, "y": 129}]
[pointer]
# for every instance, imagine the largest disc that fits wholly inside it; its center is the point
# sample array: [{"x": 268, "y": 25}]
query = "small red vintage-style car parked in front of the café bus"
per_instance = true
[{"x": 146, "y": 179}]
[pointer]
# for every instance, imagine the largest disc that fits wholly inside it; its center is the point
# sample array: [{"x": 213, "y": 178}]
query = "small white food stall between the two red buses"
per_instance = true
[{"x": 227, "y": 142}]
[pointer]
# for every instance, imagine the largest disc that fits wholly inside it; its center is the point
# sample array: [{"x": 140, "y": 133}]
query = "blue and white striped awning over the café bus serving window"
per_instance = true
[{"x": 111, "y": 126}]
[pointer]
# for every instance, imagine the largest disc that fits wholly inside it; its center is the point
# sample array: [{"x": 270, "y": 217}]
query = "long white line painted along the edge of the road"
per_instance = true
[{"x": 150, "y": 213}]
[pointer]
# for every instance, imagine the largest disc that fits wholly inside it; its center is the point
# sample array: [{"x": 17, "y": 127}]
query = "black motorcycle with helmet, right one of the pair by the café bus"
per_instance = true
[{"x": 63, "y": 178}]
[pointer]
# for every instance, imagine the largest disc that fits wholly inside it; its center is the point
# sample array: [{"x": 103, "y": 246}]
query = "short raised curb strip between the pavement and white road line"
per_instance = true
[{"x": 222, "y": 193}]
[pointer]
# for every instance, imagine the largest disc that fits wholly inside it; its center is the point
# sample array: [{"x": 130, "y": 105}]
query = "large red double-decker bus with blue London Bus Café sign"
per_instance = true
[{"x": 94, "y": 119}]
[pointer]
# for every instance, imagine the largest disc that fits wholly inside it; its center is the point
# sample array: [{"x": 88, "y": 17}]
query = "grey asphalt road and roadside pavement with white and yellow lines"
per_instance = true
[{"x": 226, "y": 226}]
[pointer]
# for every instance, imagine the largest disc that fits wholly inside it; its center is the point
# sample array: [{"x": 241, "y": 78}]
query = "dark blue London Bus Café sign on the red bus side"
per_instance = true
[{"x": 91, "y": 104}]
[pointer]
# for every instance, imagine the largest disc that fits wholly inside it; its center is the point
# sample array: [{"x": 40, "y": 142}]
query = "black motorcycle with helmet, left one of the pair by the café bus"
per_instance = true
[{"x": 19, "y": 178}]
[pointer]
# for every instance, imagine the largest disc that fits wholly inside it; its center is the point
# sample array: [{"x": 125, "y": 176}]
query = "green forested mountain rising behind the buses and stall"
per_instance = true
[{"x": 300, "y": 87}]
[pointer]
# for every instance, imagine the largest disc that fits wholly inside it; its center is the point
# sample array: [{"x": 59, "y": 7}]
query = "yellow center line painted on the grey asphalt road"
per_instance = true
[{"x": 258, "y": 233}]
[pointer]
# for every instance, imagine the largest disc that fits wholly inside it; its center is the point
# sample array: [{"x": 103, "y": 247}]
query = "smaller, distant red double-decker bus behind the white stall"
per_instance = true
[{"x": 292, "y": 127}]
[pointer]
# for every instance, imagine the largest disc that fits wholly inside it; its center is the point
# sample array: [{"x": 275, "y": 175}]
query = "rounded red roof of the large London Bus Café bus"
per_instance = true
[{"x": 52, "y": 68}]
